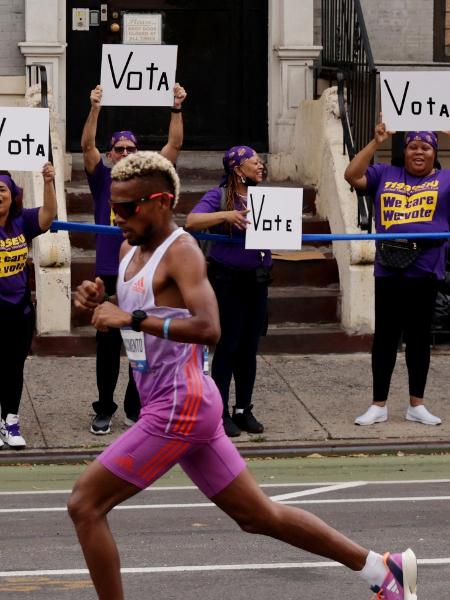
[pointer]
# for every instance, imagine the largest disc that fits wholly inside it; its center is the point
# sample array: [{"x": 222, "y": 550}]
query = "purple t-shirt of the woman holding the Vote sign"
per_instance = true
[{"x": 231, "y": 255}]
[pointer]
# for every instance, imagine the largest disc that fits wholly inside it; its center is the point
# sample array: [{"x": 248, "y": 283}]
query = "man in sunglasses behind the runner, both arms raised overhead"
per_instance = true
[{"x": 109, "y": 343}]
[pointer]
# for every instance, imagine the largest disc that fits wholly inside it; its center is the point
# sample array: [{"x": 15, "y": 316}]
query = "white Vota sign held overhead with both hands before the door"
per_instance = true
[{"x": 138, "y": 75}]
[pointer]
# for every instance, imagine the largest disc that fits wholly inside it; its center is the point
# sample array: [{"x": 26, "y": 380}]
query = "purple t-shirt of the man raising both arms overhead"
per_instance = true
[{"x": 107, "y": 246}]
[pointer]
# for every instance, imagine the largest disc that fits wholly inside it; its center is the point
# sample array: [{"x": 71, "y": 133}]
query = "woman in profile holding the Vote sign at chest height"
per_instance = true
[{"x": 239, "y": 278}]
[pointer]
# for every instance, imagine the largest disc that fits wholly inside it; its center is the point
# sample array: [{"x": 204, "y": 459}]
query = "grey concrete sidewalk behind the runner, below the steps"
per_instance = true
[{"x": 307, "y": 404}]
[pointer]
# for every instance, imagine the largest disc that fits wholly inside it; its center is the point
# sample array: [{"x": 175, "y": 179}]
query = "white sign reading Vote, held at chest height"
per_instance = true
[{"x": 275, "y": 218}]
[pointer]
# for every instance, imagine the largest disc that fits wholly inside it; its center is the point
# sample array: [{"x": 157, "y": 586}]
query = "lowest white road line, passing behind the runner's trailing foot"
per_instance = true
[{"x": 191, "y": 568}]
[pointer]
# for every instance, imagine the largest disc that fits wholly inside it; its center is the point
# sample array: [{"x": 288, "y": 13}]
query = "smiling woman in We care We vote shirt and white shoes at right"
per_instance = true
[{"x": 413, "y": 198}]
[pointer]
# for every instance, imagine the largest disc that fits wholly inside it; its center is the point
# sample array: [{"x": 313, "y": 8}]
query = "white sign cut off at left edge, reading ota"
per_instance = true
[{"x": 23, "y": 138}]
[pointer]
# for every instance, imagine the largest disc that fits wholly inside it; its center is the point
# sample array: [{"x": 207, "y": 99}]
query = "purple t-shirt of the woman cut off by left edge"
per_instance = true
[{"x": 14, "y": 253}]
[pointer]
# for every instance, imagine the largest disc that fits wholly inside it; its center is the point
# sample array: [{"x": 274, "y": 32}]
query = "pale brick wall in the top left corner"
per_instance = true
[{"x": 12, "y": 31}]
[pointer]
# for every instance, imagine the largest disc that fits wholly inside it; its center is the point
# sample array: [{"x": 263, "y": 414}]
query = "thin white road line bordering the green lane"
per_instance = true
[{"x": 170, "y": 488}]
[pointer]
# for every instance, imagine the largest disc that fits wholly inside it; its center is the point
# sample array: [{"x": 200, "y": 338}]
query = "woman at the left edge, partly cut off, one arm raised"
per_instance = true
[{"x": 18, "y": 226}]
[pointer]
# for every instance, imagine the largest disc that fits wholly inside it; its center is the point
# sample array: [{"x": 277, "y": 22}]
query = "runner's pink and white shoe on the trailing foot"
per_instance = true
[{"x": 401, "y": 581}]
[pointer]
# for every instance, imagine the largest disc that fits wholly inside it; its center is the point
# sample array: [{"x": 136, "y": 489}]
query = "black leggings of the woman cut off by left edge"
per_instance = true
[{"x": 17, "y": 333}]
